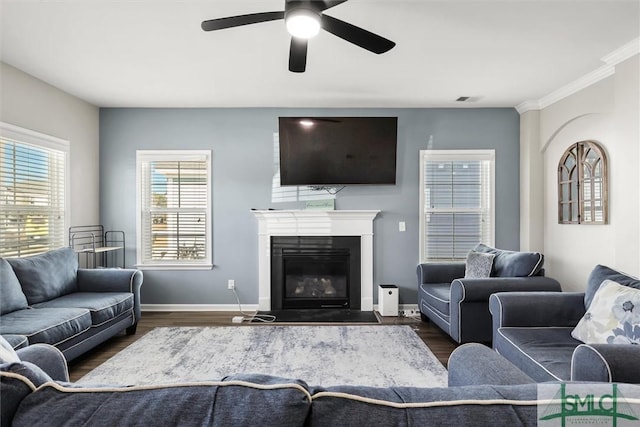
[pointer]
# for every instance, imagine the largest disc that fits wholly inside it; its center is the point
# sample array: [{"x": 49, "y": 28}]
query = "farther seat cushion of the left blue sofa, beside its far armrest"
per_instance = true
[{"x": 103, "y": 306}]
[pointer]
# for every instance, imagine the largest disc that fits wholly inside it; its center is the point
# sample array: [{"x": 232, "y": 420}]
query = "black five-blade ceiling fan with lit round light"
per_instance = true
[{"x": 303, "y": 20}]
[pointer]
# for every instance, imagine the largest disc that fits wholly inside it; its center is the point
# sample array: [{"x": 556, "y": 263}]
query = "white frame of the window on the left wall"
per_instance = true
[{"x": 19, "y": 135}]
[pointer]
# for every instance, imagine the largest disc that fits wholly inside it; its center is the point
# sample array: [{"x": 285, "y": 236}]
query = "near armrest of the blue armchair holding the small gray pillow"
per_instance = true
[{"x": 471, "y": 290}]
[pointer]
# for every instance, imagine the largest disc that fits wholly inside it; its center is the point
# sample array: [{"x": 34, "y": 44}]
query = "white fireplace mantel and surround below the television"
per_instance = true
[{"x": 315, "y": 223}]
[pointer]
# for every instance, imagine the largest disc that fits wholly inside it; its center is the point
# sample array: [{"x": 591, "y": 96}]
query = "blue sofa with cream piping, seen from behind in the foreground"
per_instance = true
[{"x": 484, "y": 389}]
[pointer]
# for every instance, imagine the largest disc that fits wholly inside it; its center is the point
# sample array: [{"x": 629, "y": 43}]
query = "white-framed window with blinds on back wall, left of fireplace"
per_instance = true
[{"x": 174, "y": 209}]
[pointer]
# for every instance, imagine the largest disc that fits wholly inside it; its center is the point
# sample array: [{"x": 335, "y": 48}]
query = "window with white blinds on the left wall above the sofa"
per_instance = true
[{"x": 33, "y": 189}]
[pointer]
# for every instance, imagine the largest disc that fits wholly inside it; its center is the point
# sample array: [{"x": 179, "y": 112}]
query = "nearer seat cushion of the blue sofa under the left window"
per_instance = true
[{"x": 46, "y": 325}]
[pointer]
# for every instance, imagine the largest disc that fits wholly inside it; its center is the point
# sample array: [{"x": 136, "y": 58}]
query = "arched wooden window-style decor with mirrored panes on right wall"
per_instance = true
[{"x": 582, "y": 185}]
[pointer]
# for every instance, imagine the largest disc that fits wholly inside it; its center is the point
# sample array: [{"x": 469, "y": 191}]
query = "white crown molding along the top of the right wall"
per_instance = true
[{"x": 611, "y": 60}]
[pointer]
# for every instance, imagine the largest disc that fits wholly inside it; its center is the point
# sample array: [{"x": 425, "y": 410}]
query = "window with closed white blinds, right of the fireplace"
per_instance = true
[{"x": 456, "y": 202}]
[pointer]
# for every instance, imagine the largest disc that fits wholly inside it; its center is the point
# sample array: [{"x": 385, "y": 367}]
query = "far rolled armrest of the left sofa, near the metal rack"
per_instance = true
[{"x": 112, "y": 280}]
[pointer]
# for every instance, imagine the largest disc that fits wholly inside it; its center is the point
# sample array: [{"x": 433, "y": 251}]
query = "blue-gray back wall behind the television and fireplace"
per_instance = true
[{"x": 241, "y": 141}]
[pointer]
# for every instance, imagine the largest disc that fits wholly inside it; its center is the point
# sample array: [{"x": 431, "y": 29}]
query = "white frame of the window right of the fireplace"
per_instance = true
[{"x": 455, "y": 155}]
